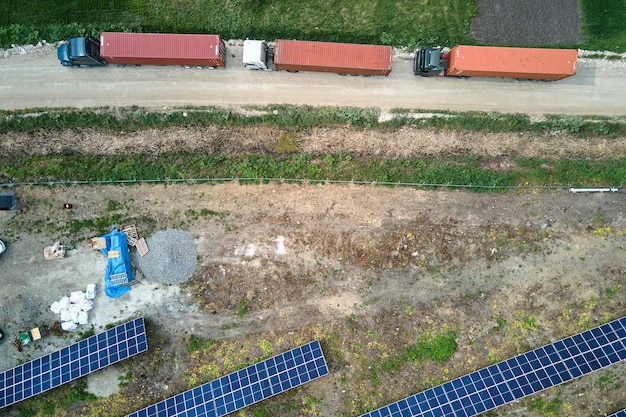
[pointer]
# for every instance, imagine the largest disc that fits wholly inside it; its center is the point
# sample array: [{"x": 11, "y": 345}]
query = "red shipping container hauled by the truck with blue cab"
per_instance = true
[{"x": 162, "y": 49}]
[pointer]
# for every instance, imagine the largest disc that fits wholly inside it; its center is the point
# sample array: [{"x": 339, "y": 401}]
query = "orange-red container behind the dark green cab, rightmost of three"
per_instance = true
[{"x": 526, "y": 63}]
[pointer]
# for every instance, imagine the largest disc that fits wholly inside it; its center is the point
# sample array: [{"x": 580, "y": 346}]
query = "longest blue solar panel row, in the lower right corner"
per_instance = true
[{"x": 519, "y": 376}]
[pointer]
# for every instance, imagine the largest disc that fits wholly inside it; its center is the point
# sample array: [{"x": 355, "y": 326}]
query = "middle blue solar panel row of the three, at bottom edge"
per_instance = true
[{"x": 246, "y": 386}]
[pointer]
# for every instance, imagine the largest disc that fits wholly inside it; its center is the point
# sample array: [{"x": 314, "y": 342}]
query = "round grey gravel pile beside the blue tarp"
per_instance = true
[{"x": 172, "y": 258}]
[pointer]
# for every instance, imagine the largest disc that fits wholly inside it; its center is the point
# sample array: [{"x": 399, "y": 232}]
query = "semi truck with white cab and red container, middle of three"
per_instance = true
[{"x": 340, "y": 58}]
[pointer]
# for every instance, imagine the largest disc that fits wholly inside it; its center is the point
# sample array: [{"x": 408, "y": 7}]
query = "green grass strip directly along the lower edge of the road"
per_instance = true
[{"x": 298, "y": 117}]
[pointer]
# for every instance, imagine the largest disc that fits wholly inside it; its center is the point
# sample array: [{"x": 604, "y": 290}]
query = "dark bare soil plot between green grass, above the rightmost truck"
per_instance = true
[{"x": 530, "y": 22}]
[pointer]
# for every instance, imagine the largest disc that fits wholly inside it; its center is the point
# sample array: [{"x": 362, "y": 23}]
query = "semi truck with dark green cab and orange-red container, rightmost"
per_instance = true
[{"x": 493, "y": 61}]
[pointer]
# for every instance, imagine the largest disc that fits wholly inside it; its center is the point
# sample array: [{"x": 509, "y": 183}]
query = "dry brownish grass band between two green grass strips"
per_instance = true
[{"x": 405, "y": 142}]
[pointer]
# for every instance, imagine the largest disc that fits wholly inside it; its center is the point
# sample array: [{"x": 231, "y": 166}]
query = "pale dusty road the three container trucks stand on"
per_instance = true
[{"x": 38, "y": 80}]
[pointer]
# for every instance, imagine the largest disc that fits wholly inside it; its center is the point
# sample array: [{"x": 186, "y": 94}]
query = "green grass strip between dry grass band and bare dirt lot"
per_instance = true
[{"x": 468, "y": 172}]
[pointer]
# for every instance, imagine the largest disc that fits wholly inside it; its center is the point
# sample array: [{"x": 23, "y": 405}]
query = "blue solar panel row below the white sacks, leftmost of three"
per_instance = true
[{"x": 72, "y": 362}]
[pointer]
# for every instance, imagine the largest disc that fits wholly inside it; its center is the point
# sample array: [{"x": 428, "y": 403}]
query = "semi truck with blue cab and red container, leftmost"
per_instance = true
[{"x": 144, "y": 49}]
